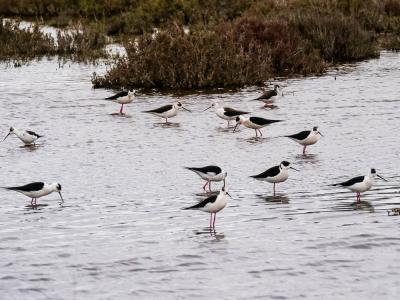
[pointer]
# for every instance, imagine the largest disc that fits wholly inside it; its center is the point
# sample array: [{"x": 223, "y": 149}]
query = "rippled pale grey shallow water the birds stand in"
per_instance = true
[{"x": 122, "y": 234}]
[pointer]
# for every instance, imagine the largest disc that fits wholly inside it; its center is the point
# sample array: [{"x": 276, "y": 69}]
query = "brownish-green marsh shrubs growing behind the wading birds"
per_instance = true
[{"x": 210, "y": 43}]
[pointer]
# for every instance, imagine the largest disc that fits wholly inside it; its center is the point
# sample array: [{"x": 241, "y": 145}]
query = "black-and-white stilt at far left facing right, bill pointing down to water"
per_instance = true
[{"x": 36, "y": 190}]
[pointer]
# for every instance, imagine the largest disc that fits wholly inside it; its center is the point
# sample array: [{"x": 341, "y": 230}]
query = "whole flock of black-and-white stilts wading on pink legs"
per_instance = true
[{"x": 216, "y": 202}]
